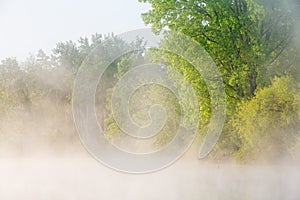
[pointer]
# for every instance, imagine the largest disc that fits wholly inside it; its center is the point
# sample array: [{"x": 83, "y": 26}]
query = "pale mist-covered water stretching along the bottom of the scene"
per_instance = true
[{"x": 79, "y": 176}]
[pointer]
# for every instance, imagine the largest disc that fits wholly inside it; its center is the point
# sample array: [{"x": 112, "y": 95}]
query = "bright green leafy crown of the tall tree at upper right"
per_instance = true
[{"x": 242, "y": 36}]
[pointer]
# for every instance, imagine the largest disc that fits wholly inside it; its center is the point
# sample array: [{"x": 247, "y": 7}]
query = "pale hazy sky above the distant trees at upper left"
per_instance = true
[{"x": 29, "y": 25}]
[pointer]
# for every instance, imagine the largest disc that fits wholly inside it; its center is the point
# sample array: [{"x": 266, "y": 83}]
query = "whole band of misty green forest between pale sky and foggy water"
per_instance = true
[{"x": 253, "y": 43}]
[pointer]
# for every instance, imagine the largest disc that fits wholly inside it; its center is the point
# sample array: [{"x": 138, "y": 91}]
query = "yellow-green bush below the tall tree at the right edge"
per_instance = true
[{"x": 268, "y": 124}]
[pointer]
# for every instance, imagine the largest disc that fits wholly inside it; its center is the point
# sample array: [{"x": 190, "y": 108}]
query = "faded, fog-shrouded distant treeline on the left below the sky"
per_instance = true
[{"x": 36, "y": 94}]
